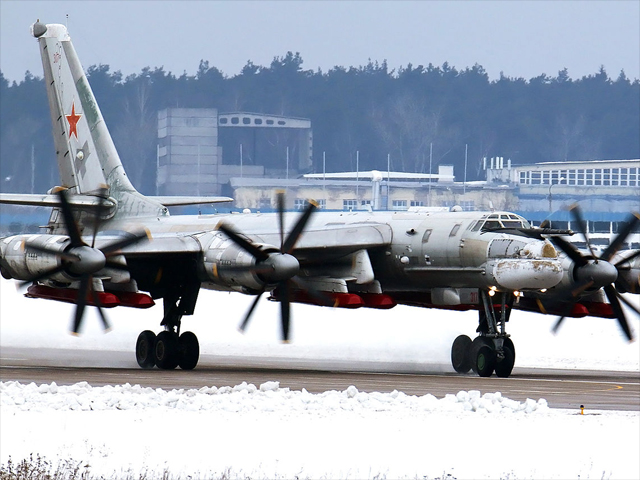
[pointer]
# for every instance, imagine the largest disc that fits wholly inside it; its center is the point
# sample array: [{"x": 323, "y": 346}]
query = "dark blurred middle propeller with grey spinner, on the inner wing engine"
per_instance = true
[{"x": 276, "y": 268}]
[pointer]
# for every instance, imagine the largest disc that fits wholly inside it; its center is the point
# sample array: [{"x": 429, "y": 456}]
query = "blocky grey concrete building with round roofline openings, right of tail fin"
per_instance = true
[{"x": 200, "y": 150}]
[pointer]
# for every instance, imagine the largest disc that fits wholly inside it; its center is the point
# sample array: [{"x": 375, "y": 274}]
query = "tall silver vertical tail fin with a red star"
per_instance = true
[{"x": 87, "y": 157}]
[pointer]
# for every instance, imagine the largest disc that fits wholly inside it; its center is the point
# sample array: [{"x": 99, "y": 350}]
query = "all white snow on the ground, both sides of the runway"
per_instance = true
[{"x": 267, "y": 432}]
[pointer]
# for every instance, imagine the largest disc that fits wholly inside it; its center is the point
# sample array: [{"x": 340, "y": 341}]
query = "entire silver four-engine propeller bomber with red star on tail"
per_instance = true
[{"x": 106, "y": 245}]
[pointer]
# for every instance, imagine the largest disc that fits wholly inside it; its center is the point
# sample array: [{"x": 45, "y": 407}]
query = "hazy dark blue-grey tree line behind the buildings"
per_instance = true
[{"x": 418, "y": 115}]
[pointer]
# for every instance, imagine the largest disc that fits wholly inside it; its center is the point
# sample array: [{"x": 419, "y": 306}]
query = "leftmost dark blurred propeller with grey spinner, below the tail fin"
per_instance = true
[{"x": 81, "y": 260}]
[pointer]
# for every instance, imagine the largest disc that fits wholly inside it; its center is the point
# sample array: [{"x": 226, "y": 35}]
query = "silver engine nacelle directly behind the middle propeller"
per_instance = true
[{"x": 227, "y": 265}]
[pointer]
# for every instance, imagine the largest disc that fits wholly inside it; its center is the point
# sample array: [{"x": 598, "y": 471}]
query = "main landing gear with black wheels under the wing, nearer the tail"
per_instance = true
[{"x": 170, "y": 349}]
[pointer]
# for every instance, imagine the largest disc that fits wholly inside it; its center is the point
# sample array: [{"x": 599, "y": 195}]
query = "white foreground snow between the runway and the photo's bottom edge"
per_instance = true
[{"x": 265, "y": 431}]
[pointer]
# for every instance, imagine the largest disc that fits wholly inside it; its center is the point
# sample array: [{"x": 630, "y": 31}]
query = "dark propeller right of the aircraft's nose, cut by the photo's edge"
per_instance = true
[{"x": 595, "y": 272}]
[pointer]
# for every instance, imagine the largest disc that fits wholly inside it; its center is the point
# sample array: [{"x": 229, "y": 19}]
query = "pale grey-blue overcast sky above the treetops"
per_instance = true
[{"x": 519, "y": 38}]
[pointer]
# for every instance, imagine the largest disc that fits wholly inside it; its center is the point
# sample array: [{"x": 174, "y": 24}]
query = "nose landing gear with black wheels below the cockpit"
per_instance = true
[{"x": 492, "y": 350}]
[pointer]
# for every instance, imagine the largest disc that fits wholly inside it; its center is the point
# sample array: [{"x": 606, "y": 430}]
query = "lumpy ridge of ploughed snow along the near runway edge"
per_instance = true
[{"x": 247, "y": 398}]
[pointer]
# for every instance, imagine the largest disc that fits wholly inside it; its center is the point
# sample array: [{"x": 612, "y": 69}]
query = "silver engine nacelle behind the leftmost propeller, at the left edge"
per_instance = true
[{"x": 22, "y": 264}]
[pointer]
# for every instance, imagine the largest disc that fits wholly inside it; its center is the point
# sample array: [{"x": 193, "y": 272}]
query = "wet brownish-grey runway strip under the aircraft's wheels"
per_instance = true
[{"x": 596, "y": 390}]
